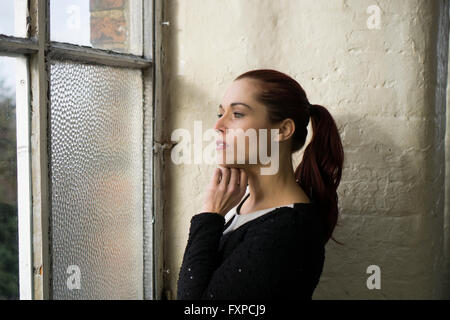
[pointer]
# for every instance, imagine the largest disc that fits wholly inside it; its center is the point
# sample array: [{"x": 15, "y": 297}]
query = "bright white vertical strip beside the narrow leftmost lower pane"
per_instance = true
[{"x": 23, "y": 179}]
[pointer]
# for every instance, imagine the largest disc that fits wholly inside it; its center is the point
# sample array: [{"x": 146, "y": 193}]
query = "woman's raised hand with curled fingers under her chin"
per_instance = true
[{"x": 226, "y": 189}]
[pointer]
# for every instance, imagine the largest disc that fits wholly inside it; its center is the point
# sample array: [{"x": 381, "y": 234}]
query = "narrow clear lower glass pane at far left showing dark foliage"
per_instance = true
[{"x": 9, "y": 256}]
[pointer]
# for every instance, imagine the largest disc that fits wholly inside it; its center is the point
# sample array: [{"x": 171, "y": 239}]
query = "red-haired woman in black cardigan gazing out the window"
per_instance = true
[{"x": 272, "y": 246}]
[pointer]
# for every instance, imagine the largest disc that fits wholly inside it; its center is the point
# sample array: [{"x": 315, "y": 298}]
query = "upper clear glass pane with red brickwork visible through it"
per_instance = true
[{"x": 104, "y": 24}]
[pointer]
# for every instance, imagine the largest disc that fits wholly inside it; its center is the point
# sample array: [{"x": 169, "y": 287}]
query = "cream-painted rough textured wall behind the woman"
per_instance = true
[{"x": 380, "y": 81}]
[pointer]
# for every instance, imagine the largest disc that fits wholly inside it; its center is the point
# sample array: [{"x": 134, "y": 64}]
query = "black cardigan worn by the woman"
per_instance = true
[{"x": 279, "y": 255}]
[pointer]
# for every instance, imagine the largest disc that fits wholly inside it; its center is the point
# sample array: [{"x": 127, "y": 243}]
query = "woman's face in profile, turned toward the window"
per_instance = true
[{"x": 240, "y": 118}]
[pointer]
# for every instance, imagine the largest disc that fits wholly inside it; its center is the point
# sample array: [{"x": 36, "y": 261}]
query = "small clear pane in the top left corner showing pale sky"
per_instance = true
[{"x": 13, "y": 18}]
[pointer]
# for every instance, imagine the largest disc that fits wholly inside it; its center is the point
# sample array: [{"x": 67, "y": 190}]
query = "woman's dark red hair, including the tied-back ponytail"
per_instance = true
[{"x": 320, "y": 170}]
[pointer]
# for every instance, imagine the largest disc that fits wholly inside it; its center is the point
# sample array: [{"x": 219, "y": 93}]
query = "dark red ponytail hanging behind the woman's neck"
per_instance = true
[{"x": 319, "y": 172}]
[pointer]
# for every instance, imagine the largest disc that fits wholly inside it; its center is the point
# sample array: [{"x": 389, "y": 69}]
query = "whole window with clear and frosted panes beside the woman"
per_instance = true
[{"x": 77, "y": 83}]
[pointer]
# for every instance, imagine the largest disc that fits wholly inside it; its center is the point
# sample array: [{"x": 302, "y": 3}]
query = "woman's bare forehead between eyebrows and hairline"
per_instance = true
[{"x": 242, "y": 90}]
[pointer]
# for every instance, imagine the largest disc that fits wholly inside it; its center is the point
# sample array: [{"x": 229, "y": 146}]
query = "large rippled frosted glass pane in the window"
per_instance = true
[{"x": 96, "y": 169}]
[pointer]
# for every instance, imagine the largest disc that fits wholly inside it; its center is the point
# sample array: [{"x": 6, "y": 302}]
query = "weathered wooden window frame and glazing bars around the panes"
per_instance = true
[{"x": 36, "y": 51}]
